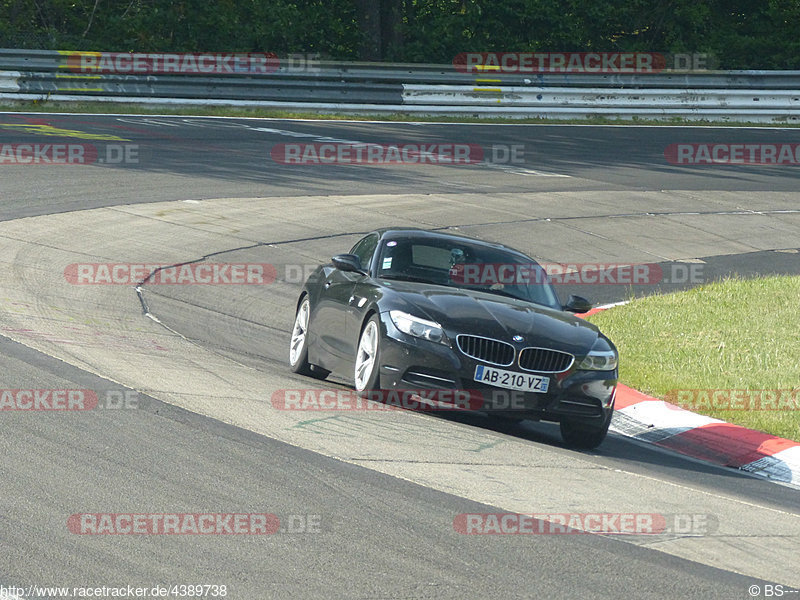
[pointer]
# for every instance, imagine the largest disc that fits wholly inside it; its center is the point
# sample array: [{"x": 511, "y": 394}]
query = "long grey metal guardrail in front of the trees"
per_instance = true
[{"x": 759, "y": 96}]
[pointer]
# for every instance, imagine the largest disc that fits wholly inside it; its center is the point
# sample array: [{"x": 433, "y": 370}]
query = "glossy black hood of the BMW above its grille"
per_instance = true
[{"x": 491, "y": 315}]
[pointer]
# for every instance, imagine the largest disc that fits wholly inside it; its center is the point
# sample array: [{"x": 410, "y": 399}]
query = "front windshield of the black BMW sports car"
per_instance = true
[{"x": 460, "y": 264}]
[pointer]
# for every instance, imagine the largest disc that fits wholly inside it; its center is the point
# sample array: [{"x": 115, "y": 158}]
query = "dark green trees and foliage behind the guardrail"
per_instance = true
[{"x": 740, "y": 34}]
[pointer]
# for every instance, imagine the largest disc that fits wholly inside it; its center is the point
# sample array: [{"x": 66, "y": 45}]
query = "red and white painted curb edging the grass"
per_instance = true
[{"x": 666, "y": 425}]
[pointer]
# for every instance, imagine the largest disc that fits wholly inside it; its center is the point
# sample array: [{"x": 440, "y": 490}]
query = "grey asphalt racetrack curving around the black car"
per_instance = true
[{"x": 367, "y": 500}]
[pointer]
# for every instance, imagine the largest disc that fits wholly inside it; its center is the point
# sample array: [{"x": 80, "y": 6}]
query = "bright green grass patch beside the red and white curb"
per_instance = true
[{"x": 735, "y": 334}]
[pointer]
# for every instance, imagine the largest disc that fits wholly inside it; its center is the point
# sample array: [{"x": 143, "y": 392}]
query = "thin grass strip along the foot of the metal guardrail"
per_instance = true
[{"x": 225, "y": 111}]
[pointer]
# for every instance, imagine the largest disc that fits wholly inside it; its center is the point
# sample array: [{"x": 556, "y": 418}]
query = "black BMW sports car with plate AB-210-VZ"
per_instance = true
[{"x": 409, "y": 309}]
